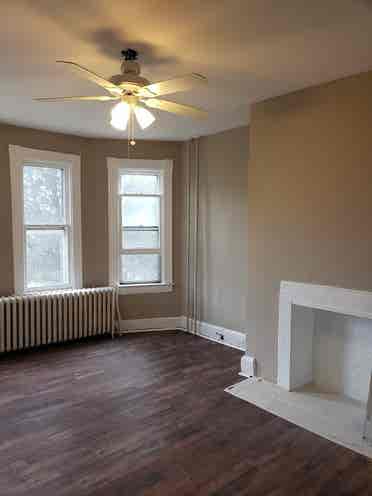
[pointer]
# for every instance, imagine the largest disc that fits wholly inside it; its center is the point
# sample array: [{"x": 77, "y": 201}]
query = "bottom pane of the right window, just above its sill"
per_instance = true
[{"x": 137, "y": 268}]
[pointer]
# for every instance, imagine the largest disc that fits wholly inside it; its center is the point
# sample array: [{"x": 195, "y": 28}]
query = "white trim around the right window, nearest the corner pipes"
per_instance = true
[{"x": 114, "y": 165}]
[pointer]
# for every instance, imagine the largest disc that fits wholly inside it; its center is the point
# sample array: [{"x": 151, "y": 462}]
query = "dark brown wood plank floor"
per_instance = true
[{"x": 147, "y": 415}]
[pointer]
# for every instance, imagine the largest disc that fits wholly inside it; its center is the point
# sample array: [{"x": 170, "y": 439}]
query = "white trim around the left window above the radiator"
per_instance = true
[{"x": 18, "y": 156}]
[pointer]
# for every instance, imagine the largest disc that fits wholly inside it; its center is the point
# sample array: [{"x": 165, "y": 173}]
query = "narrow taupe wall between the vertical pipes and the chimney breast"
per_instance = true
[{"x": 223, "y": 228}]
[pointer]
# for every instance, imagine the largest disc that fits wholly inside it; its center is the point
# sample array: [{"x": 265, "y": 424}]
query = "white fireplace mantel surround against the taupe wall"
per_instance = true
[{"x": 297, "y": 302}]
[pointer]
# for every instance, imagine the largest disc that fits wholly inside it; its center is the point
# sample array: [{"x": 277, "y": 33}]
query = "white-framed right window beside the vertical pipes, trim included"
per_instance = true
[{"x": 140, "y": 221}]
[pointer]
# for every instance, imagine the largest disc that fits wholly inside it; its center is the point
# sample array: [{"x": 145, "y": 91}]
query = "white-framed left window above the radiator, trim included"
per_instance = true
[{"x": 46, "y": 220}]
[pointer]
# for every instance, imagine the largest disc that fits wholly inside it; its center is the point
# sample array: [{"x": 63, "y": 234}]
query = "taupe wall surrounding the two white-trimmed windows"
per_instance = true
[{"x": 94, "y": 210}]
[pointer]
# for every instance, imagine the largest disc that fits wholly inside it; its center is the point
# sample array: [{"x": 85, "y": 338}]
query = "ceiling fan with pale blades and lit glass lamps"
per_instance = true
[{"x": 135, "y": 93}]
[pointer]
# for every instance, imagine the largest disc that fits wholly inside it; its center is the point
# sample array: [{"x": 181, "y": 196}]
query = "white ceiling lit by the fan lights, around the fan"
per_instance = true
[{"x": 250, "y": 50}]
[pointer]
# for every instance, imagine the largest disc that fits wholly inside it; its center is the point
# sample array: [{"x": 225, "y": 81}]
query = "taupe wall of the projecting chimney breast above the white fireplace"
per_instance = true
[{"x": 309, "y": 199}]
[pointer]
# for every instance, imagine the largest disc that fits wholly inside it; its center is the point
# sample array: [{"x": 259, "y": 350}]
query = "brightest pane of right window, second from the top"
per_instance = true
[{"x": 141, "y": 211}]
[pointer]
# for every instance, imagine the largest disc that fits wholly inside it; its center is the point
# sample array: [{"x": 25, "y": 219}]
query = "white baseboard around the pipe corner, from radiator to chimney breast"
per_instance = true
[{"x": 227, "y": 337}]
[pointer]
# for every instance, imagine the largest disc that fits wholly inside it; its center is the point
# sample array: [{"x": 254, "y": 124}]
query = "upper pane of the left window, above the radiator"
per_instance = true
[{"x": 43, "y": 190}]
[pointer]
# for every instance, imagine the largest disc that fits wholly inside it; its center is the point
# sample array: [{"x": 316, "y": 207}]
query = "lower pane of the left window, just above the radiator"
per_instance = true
[{"x": 46, "y": 258}]
